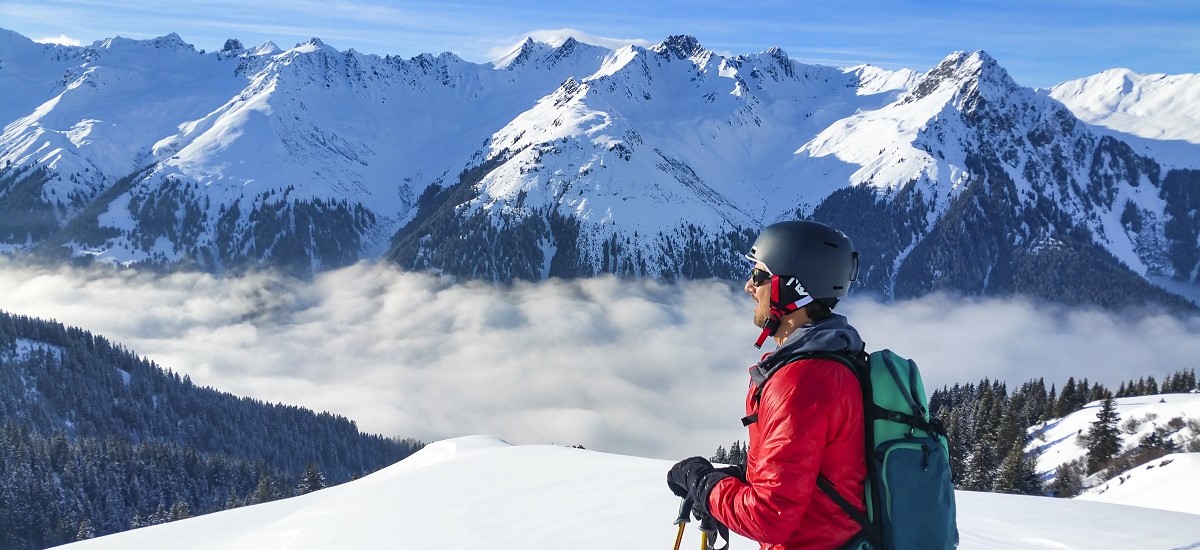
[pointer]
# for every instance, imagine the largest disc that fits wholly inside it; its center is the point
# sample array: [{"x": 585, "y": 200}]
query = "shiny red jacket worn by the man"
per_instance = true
[{"x": 811, "y": 422}]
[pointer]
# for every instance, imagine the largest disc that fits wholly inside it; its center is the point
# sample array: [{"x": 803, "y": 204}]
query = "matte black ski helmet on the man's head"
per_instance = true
[{"x": 820, "y": 258}]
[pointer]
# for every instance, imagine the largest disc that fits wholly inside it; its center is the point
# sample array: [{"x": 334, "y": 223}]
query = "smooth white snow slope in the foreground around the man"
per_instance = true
[{"x": 477, "y": 493}]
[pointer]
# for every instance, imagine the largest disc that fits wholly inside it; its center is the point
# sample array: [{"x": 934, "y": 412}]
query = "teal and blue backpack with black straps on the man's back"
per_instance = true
[{"x": 910, "y": 492}]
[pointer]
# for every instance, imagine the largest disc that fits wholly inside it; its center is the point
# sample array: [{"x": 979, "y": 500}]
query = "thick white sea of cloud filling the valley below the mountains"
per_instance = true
[{"x": 644, "y": 368}]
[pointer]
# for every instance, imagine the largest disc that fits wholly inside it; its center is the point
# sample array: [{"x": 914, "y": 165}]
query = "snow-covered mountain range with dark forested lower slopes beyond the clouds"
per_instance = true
[{"x": 572, "y": 160}]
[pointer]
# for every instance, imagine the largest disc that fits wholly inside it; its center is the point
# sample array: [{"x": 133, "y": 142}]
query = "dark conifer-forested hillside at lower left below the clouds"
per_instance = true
[{"x": 97, "y": 440}]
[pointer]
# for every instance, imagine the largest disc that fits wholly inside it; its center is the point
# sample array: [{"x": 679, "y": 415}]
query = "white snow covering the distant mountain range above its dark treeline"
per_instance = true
[{"x": 614, "y": 135}]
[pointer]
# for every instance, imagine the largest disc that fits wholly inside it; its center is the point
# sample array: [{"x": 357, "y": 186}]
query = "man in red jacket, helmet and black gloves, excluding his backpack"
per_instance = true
[{"x": 807, "y": 423}]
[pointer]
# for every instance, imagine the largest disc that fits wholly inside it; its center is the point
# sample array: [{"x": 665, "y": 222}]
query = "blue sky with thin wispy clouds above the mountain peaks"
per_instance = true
[{"x": 1040, "y": 43}]
